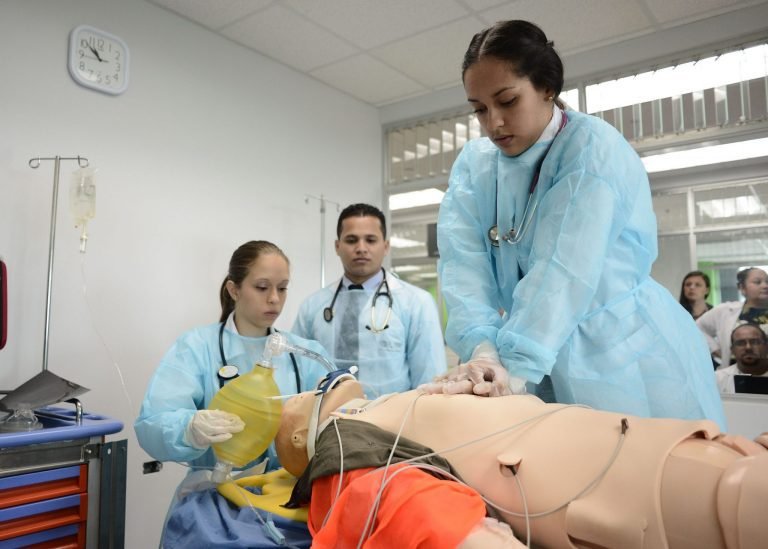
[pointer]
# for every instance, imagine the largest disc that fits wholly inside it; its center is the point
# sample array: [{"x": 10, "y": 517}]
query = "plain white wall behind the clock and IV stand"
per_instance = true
[{"x": 210, "y": 146}]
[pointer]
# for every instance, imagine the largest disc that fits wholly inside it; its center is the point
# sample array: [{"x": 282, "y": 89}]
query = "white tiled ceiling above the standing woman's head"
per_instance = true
[{"x": 385, "y": 51}]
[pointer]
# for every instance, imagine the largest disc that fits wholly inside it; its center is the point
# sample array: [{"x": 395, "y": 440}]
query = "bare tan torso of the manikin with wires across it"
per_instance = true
[{"x": 558, "y": 453}]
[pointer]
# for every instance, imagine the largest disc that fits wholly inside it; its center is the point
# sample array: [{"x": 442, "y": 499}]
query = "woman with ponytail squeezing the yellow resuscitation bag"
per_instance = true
[{"x": 174, "y": 423}]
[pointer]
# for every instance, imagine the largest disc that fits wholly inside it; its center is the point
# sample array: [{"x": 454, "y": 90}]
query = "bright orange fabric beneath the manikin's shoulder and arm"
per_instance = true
[{"x": 416, "y": 510}]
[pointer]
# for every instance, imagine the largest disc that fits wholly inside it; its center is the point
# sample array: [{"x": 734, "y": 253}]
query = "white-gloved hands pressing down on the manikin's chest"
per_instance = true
[{"x": 482, "y": 375}]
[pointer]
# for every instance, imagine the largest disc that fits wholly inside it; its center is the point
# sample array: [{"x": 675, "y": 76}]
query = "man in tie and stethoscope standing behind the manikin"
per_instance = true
[{"x": 369, "y": 318}]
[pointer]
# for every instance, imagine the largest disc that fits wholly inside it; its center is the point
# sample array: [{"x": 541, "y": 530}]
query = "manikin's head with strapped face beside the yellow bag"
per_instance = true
[{"x": 293, "y": 434}]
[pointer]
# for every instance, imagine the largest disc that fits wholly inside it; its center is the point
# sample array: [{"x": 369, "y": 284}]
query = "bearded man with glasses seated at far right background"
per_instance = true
[{"x": 749, "y": 345}]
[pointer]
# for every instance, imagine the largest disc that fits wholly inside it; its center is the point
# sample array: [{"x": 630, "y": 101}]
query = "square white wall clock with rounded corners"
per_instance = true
[{"x": 98, "y": 60}]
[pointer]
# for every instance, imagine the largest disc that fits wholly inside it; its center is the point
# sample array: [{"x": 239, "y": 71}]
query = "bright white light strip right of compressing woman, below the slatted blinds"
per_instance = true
[{"x": 704, "y": 156}]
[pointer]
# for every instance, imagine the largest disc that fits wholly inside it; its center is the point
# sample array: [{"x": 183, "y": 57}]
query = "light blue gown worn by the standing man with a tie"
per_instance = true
[{"x": 406, "y": 354}]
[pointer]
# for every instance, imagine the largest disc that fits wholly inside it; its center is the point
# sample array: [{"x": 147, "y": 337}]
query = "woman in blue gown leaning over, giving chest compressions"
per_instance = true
[{"x": 550, "y": 218}]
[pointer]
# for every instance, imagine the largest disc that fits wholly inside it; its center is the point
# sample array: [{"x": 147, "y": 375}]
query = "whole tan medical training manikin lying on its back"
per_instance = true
[{"x": 589, "y": 478}]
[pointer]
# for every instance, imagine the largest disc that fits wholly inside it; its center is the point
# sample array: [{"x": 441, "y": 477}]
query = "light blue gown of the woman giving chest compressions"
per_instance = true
[{"x": 574, "y": 298}]
